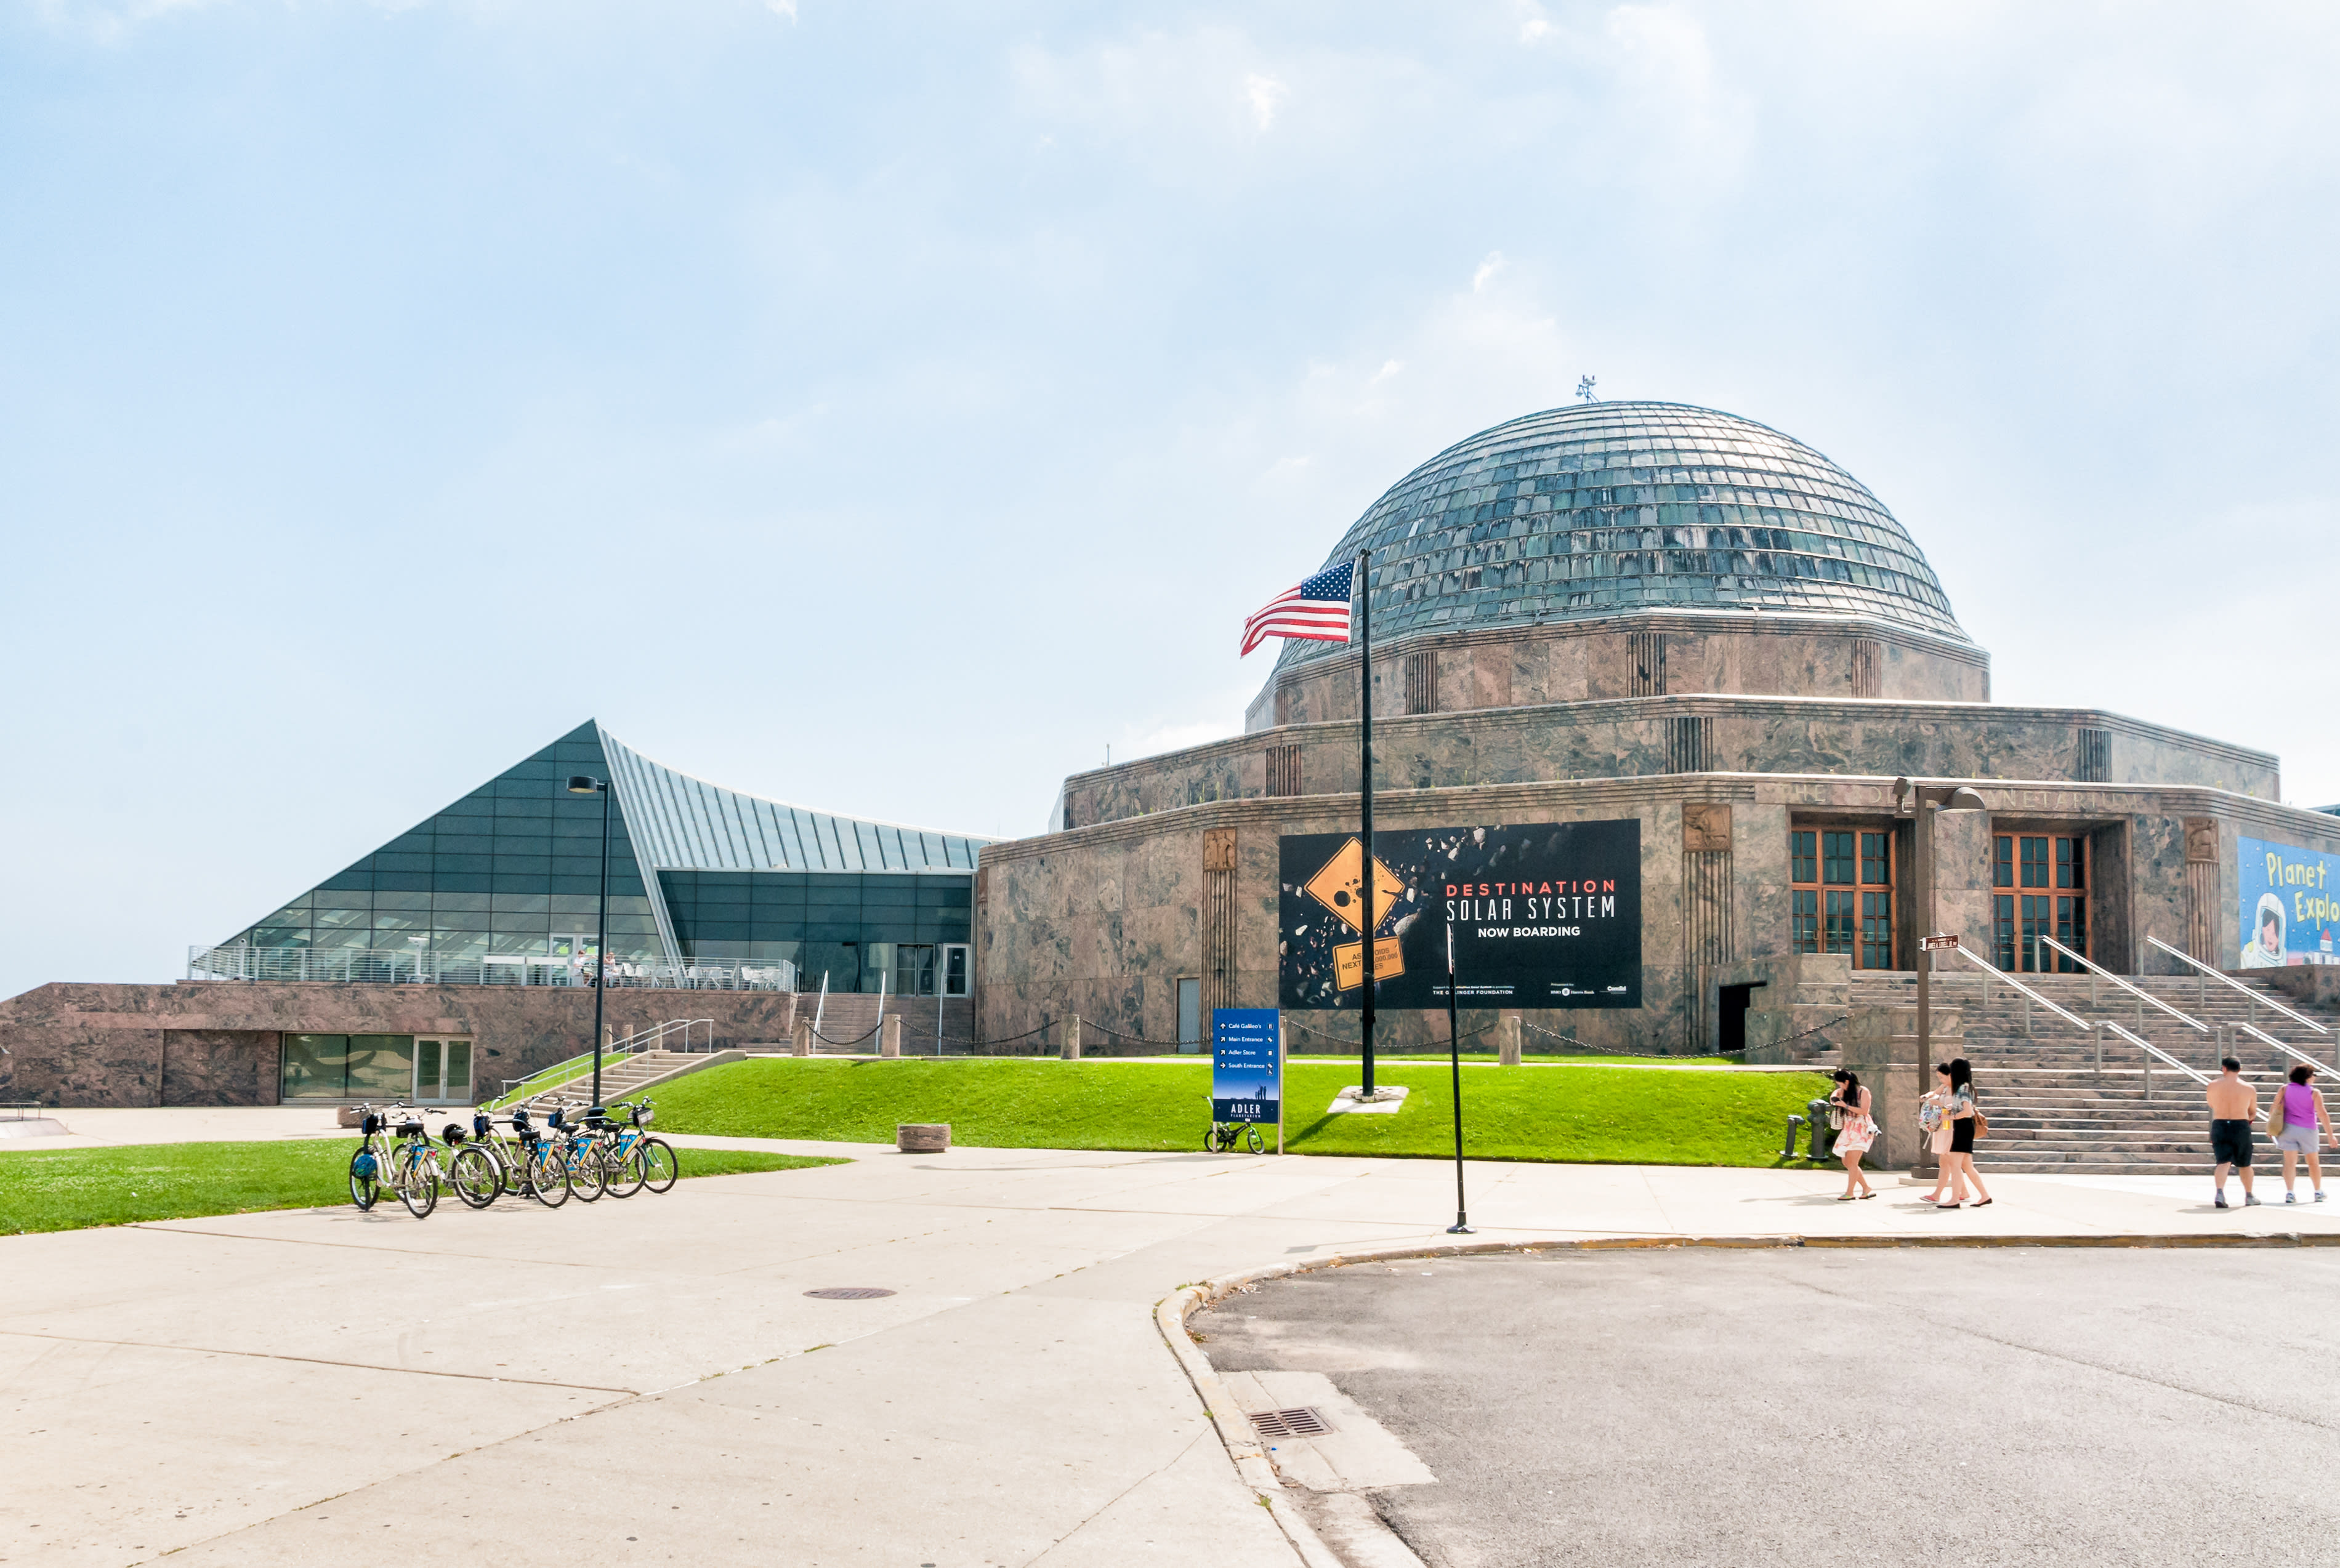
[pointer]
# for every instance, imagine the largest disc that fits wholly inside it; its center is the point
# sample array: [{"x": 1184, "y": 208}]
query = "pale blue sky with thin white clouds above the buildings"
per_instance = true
[{"x": 890, "y": 406}]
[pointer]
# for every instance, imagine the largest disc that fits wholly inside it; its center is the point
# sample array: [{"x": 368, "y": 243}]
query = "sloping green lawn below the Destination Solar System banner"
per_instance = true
[{"x": 1595, "y": 1115}]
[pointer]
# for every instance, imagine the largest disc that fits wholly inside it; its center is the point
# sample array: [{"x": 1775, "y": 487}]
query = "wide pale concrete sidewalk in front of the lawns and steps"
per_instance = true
[{"x": 649, "y": 1375}]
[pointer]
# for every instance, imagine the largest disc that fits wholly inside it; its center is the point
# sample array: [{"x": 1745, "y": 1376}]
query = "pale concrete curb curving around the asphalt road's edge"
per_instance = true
[{"x": 1251, "y": 1457}]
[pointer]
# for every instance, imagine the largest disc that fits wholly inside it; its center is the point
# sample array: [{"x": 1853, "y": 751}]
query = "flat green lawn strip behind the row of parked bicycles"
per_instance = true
[{"x": 64, "y": 1190}]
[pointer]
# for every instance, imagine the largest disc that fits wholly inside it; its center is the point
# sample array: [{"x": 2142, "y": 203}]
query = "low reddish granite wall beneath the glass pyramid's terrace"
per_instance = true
[{"x": 216, "y": 1043}]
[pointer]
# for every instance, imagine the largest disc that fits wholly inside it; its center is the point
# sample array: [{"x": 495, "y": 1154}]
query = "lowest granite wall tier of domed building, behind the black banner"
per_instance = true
[{"x": 1103, "y": 921}]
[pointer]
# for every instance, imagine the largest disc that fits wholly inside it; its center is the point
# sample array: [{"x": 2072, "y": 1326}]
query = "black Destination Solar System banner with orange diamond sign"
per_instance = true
[{"x": 1546, "y": 916}]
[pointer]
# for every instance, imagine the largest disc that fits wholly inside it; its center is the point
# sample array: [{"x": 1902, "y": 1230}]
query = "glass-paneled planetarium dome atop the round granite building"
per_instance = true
[{"x": 1609, "y": 509}]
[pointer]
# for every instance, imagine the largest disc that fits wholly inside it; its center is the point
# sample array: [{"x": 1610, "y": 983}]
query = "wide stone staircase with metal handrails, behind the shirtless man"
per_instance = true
[{"x": 2042, "y": 1087}]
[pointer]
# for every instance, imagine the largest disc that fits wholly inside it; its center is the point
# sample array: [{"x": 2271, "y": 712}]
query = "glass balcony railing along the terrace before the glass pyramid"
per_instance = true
[{"x": 418, "y": 968}]
